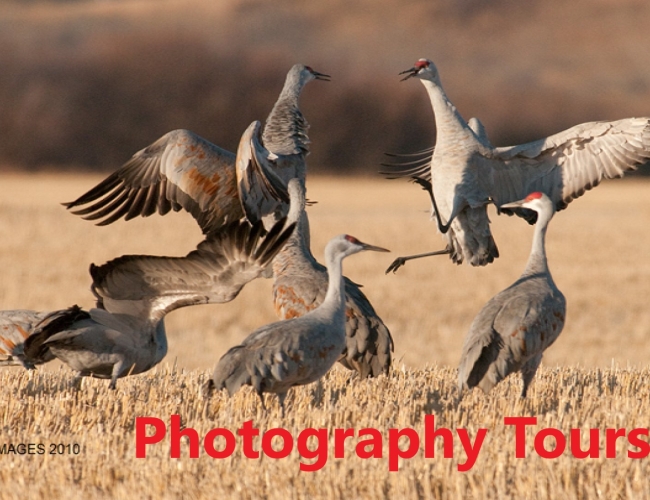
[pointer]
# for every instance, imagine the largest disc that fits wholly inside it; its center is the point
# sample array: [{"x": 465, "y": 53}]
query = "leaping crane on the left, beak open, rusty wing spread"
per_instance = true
[{"x": 184, "y": 171}]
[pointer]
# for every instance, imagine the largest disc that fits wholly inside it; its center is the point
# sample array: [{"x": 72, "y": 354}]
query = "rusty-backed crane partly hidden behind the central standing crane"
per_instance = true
[{"x": 300, "y": 285}]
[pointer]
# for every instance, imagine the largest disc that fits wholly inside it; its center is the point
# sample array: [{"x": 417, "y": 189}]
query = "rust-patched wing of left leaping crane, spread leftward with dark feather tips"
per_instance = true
[{"x": 181, "y": 170}]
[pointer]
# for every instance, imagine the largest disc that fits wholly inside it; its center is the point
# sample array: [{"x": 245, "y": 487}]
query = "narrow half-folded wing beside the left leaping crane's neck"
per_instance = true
[{"x": 261, "y": 190}]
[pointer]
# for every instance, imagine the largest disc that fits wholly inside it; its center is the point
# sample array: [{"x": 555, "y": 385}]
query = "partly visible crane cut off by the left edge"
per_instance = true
[{"x": 15, "y": 327}]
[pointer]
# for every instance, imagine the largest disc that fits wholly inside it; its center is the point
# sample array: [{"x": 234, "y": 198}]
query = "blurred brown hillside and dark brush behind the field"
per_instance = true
[{"x": 85, "y": 84}]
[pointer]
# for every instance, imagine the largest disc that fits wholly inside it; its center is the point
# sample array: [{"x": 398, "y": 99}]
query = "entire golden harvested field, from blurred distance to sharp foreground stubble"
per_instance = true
[{"x": 592, "y": 378}]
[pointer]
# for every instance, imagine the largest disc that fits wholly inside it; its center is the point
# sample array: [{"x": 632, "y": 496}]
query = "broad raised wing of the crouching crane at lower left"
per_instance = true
[{"x": 213, "y": 273}]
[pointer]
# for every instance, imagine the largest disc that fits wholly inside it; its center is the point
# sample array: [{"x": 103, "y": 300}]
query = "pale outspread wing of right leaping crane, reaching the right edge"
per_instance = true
[{"x": 567, "y": 164}]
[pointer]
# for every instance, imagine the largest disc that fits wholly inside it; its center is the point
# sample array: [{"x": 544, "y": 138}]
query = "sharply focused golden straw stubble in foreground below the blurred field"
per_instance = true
[{"x": 42, "y": 409}]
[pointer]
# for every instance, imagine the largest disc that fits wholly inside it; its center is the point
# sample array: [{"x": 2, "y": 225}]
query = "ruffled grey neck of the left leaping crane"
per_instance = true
[{"x": 285, "y": 131}]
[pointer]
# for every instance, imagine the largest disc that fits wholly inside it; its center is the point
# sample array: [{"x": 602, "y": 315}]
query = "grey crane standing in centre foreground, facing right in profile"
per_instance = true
[{"x": 297, "y": 351}]
